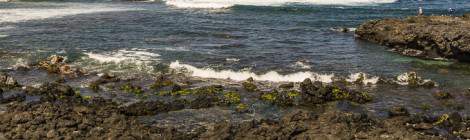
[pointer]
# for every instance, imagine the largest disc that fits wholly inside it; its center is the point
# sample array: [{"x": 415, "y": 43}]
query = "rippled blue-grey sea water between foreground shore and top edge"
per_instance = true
[{"x": 271, "y": 40}]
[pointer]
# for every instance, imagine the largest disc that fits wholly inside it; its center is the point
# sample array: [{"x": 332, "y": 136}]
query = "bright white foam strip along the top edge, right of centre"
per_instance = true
[{"x": 230, "y": 3}]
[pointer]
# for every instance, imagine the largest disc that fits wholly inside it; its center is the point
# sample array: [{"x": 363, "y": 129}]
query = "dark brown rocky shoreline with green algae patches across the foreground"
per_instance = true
[{"x": 310, "y": 110}]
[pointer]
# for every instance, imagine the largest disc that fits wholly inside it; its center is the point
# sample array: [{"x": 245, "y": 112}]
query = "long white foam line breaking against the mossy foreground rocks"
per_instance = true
[{"x": 243, "y": 75}]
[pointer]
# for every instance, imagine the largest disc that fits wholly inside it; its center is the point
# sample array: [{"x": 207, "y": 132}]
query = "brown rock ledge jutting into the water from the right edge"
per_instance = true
[{"x": 429, "y": 37}]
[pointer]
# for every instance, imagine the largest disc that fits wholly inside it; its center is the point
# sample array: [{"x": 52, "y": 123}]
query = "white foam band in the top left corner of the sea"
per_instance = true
[{"x": 58, "y": 10}]
